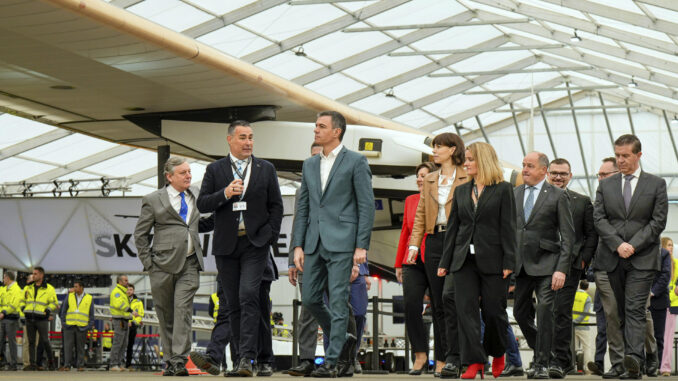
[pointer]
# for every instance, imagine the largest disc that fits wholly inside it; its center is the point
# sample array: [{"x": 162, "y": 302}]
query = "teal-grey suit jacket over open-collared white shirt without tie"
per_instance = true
[{"x": 342, "y": 215}]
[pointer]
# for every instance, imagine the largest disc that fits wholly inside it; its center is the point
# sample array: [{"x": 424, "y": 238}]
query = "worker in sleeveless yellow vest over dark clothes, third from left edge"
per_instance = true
[{"x": 77, "y": 315}]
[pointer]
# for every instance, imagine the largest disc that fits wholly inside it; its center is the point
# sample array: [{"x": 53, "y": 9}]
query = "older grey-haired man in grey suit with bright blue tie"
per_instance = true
[{"x": 174, "y": 259}]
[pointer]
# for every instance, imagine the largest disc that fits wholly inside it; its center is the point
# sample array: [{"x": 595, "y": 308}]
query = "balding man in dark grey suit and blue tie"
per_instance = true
[{"x": 545, "y": 238}]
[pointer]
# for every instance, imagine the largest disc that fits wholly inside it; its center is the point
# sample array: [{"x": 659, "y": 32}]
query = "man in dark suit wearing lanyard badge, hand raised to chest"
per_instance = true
[{"x": 244, "y": 194}]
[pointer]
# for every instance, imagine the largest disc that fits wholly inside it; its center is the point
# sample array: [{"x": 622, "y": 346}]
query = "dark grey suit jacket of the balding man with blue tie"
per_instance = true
[{"x": 545, "y": 239}]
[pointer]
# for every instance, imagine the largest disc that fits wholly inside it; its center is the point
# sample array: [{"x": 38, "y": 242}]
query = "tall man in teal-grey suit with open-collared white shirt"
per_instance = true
[{"x": 332, "y": 229}]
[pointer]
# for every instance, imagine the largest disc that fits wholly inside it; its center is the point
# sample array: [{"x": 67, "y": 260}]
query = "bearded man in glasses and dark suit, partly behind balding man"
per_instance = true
[{"x": 583, "y": 247}]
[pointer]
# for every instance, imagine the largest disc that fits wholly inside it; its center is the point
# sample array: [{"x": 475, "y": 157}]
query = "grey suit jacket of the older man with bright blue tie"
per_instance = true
[{"x": 168, "y": 251}]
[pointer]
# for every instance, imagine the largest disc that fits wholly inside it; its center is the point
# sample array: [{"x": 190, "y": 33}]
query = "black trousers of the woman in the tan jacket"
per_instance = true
[{"x": 434, "y": 249}]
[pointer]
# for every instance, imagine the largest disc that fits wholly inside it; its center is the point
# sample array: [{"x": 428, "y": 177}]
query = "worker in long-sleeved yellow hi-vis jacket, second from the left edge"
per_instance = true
[{"x": 39, "y": 305}]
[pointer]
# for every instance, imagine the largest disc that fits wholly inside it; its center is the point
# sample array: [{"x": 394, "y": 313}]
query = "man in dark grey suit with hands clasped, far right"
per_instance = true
[{"x": 630, "y": 214}]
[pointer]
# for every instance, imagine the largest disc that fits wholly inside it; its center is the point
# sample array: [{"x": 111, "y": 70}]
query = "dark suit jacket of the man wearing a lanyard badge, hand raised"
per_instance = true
[{"x": 264, "y": 205}]
